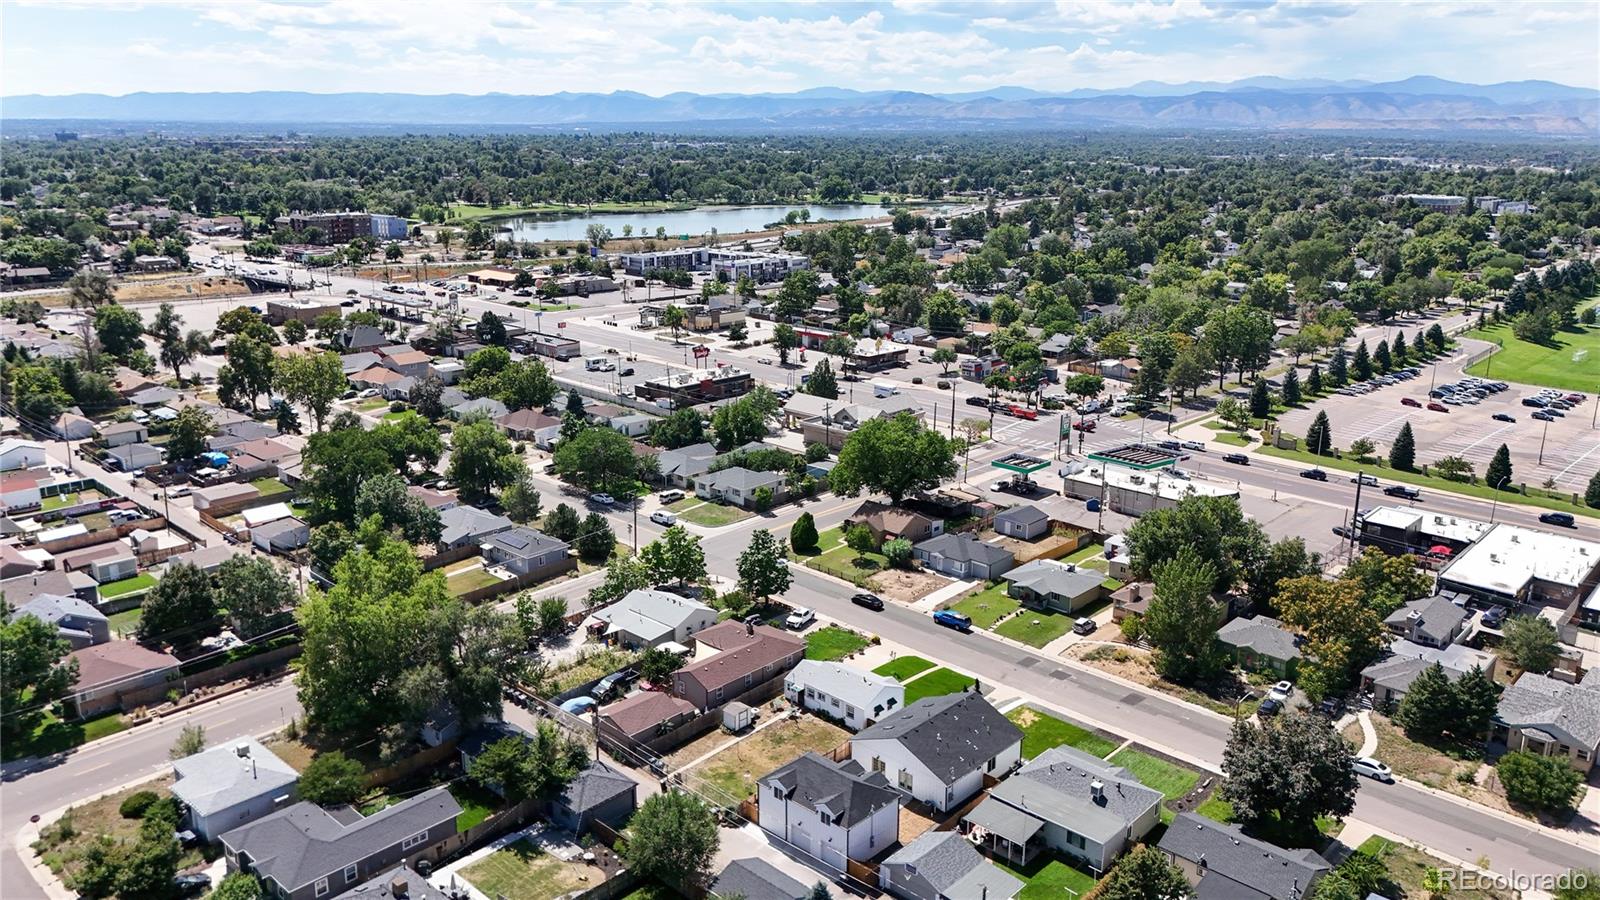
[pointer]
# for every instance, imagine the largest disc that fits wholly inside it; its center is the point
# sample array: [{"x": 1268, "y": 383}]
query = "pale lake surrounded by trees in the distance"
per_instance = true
[{"x": 694, "y": 223}]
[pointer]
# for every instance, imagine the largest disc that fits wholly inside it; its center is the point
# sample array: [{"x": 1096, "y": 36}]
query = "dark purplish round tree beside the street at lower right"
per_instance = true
[{"x": 1294, "y": 768}]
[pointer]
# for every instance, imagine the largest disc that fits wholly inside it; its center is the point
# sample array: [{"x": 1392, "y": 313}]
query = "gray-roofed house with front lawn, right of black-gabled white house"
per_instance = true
[{"x": 1071, "y": 803}]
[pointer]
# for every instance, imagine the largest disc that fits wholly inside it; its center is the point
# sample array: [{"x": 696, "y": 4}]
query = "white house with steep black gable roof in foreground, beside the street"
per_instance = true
[{"x": 940, "y": 749}]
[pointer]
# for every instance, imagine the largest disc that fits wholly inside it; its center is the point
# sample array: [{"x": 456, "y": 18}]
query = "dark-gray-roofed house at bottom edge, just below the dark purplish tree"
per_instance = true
[{"x": 1222, "y": 861}]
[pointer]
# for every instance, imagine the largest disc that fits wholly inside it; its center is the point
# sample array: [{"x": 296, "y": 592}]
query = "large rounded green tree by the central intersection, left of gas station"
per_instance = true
[{"x": 895, "y": 457}]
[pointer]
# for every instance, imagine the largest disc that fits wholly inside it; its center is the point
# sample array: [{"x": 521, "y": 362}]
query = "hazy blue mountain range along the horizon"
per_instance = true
[{"x": 1415, "y": 105}]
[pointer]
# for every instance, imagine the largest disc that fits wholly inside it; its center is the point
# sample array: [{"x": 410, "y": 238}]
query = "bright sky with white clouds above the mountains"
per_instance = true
[{"x": 60, "y": 47}]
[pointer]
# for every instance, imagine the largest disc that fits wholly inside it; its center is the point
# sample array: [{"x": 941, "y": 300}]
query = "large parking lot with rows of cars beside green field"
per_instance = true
[{"x": 1572, "y": 446}]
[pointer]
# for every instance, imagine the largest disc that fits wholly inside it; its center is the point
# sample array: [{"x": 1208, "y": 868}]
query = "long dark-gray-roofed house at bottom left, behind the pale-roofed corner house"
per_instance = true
[{"x": 305, "y": 853}]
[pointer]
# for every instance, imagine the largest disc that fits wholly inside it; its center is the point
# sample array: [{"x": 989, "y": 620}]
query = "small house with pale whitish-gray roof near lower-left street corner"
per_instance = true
[{"x": 231, "y": 785}]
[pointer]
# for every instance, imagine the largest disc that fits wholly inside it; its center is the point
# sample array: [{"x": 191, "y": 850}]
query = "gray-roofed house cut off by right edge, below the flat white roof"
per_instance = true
[{"x": 1551, "y": 718}]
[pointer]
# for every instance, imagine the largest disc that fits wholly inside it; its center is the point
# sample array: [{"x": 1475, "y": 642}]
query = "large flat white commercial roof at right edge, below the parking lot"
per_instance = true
[{"x": 1506, "y": 558}]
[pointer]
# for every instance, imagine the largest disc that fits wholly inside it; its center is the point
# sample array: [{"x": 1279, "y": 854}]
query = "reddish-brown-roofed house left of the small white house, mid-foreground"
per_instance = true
[{"x": 748, "y": 657}]
